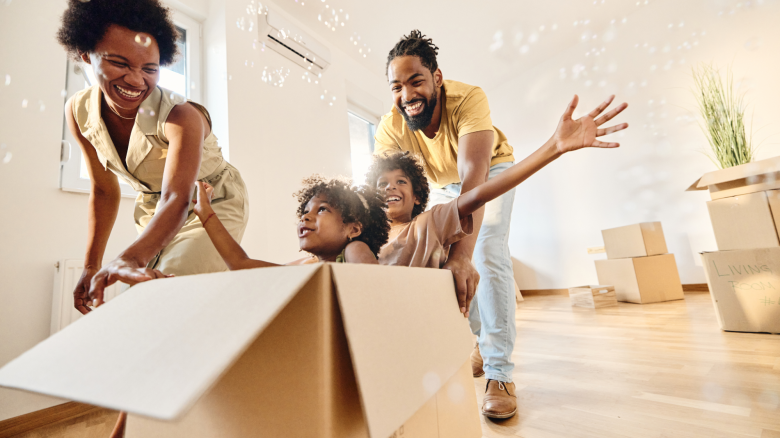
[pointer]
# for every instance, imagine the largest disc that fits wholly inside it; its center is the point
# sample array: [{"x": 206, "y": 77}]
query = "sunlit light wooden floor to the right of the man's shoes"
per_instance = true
[{"x": 653, "y": 370}]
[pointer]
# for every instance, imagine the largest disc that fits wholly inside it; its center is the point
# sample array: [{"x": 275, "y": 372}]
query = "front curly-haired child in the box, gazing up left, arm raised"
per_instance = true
[{"x": 336, "y": 223}]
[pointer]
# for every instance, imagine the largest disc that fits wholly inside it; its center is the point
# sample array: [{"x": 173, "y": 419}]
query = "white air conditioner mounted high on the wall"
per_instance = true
[{"x": 285, "y": 38}]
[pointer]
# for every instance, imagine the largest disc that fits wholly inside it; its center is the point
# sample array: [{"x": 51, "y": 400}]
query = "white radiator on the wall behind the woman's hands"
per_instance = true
[{"x": 66, "y": 275}]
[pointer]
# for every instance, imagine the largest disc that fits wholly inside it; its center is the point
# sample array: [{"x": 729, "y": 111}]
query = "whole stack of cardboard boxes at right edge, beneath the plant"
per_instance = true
[{"x": 744, "y": 274}]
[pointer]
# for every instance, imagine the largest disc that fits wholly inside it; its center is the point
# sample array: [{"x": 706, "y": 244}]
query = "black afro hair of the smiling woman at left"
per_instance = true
[{"x": 85, "y": 22}]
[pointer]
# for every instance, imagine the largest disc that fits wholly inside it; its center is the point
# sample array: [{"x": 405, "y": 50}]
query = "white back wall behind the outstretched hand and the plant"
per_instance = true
[{"x": 560, "y": 212}]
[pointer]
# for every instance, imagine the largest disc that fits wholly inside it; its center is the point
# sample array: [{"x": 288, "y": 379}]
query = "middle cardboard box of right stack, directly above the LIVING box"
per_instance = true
[{"x": 746, "y": 221}]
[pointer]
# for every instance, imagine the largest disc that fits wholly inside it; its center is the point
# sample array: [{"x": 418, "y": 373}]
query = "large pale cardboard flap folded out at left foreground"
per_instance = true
[{"x": 157, "y": 348}]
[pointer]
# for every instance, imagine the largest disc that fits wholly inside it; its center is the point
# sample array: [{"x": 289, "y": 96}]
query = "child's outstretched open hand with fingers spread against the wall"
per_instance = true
[{"x": 583, "y": 132}]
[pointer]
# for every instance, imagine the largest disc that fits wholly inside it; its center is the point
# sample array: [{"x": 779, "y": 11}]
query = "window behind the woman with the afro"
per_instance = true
[{"x": 74, "y": 176}]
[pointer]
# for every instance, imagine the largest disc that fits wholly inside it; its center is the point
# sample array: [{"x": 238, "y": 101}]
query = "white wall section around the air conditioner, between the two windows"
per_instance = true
[{"x": 279, "y": 135}]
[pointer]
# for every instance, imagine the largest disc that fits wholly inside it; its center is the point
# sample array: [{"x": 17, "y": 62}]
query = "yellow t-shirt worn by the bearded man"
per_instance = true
[{"x": 465, "y": 111}]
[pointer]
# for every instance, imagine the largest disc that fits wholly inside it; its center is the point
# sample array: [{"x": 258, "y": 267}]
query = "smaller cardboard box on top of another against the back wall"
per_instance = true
[{"x": 638, "y": 240}]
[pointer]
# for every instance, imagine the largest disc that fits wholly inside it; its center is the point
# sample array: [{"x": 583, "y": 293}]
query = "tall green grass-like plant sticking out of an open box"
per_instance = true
[{"x": 724, "y": 117}]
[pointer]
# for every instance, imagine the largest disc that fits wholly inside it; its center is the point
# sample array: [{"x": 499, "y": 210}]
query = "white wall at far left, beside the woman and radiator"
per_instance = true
[{"x": 40, "y": 224}]
